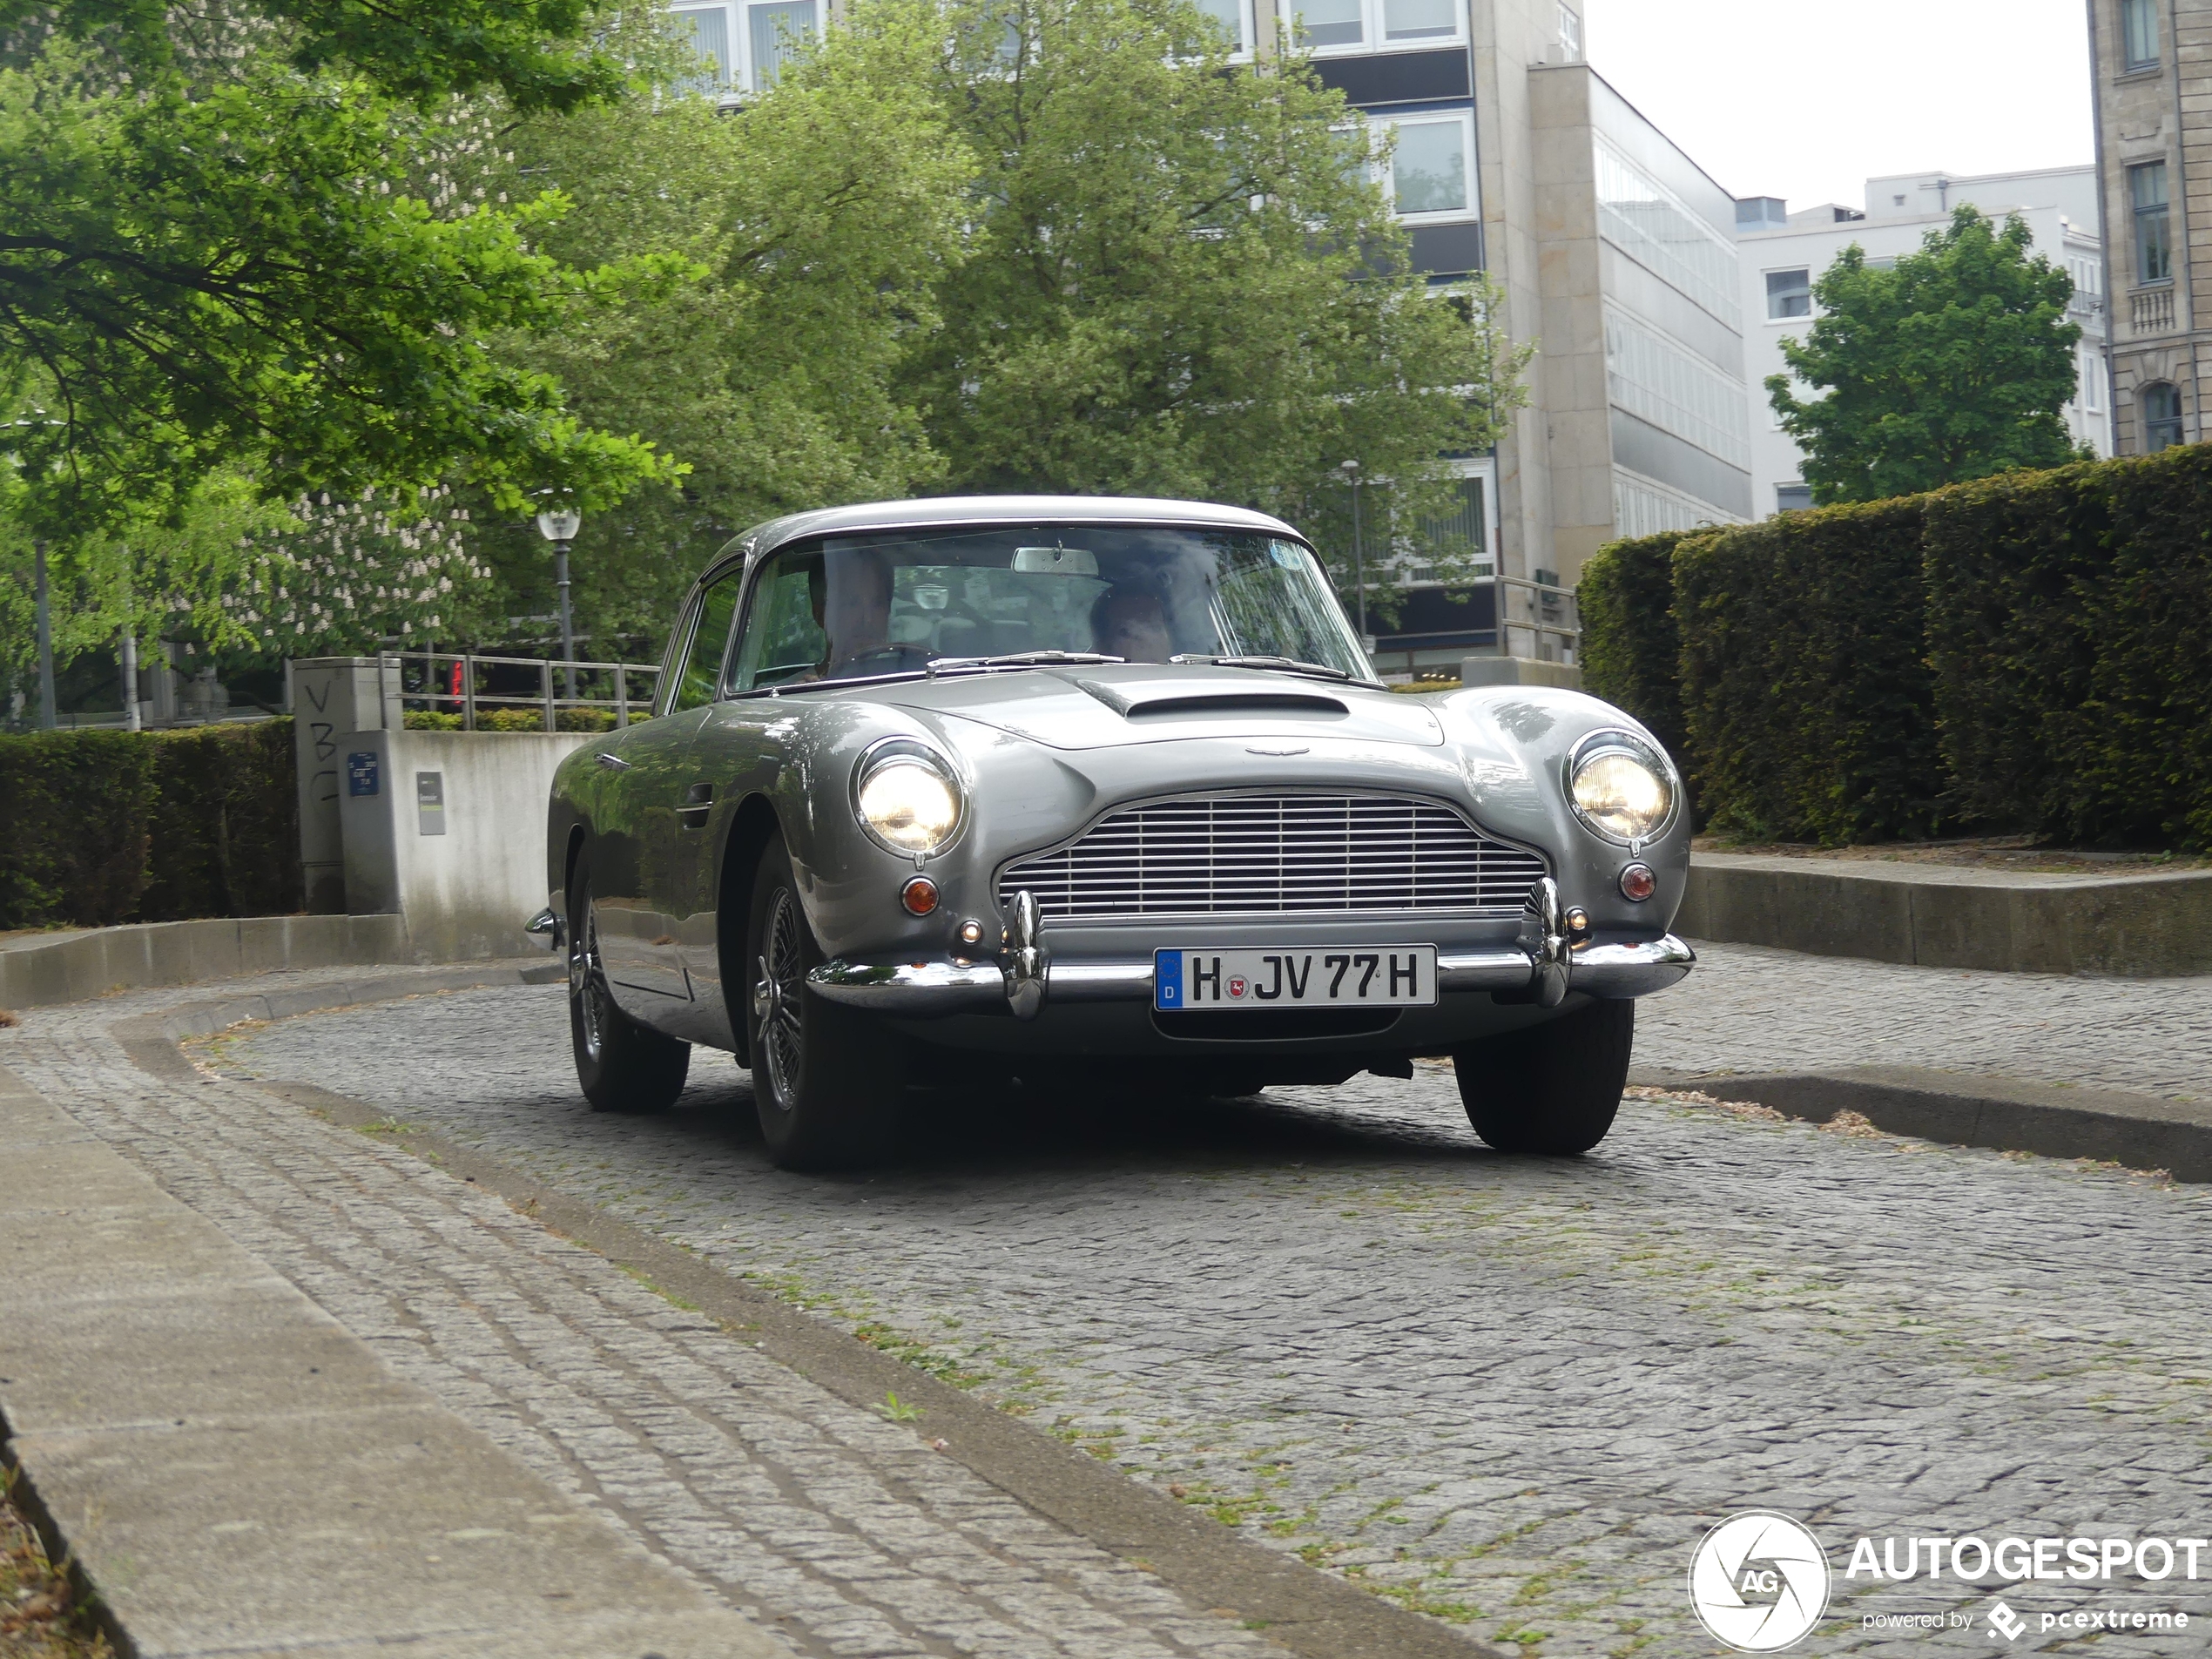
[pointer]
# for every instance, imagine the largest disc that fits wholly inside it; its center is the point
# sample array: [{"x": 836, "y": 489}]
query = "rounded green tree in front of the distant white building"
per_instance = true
[{"x": 1950, "y": 366}]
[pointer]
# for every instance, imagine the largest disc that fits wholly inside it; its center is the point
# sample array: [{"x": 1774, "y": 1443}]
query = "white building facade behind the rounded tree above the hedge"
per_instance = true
[{"x": 1784, "y": 255}]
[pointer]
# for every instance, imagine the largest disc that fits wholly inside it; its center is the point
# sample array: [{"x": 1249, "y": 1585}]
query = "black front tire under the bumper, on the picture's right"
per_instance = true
[{"x": 1550, "y": 1089}]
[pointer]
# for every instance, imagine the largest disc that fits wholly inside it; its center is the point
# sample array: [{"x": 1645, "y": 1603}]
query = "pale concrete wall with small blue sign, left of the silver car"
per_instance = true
[{"x": 448, "y": 828}]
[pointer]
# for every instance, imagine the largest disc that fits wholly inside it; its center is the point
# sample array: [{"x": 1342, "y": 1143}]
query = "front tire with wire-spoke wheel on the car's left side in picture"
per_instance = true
[{"x": 826, "y": 1081}]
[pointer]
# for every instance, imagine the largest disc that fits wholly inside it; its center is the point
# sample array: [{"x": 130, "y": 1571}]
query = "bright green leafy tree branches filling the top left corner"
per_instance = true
[{"x": 207, "y": 260}]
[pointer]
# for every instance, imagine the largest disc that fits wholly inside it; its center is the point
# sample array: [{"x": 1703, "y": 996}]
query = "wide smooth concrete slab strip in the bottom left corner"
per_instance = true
[{"x": 229, "y": 1470}]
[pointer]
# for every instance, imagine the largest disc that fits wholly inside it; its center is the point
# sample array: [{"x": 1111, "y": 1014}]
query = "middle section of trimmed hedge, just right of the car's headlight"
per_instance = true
[{"x": 1806, "y": 689}]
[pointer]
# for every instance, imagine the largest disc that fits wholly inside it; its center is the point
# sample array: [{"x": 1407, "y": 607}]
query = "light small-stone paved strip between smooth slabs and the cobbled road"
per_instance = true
[{"x": 839, "y": 1532}]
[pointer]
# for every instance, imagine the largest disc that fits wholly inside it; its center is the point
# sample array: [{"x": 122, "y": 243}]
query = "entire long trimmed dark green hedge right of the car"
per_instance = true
[{"x": 2025, "y": 654}]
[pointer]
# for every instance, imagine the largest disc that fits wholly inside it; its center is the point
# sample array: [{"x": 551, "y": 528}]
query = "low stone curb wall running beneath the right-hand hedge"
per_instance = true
[{"x": 1968, "y": 919}]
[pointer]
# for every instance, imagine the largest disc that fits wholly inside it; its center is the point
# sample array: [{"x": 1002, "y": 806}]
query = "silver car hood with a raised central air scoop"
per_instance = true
[{"x": 1116, "y": 705}]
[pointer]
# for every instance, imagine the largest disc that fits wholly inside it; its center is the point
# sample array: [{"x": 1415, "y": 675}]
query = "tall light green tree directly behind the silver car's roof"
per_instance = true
[{"x": 1180, "y": 278}]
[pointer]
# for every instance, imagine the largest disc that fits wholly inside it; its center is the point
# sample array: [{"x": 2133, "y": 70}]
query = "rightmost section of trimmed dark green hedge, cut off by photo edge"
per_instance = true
[{"x": 2072, "y": 623}]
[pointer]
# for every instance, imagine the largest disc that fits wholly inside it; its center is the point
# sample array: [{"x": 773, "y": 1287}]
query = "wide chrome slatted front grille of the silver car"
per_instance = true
[{"x": 1277, "y": 855}]
